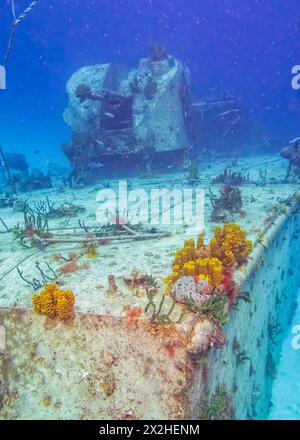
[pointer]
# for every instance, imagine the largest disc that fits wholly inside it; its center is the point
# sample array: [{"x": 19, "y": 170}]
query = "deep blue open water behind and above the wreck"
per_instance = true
[{"x": 246, "y": 47}]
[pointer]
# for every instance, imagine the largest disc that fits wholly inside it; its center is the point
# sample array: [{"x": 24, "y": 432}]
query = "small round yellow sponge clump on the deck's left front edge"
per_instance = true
[{"x": 54, "y": 302}]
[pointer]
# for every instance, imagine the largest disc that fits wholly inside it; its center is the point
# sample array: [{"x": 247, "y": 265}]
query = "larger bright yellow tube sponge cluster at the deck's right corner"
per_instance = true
[{"x": 211, "y": 265}]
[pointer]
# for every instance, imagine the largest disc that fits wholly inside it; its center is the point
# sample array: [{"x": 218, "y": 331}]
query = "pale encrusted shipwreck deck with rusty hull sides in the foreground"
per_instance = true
[{"x": 129, "y": 350}]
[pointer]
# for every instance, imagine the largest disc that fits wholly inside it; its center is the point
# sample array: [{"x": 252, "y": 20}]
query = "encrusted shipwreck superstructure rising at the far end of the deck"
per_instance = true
[{"x": 143, "y": 120}]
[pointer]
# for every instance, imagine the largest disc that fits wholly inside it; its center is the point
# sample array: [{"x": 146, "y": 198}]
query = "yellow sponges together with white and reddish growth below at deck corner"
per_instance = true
[{"x": 202, "y": 281}]
